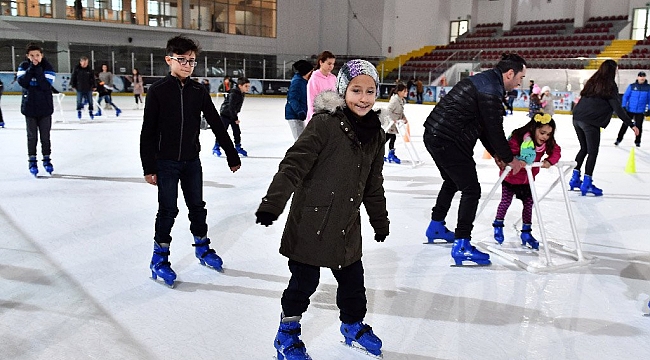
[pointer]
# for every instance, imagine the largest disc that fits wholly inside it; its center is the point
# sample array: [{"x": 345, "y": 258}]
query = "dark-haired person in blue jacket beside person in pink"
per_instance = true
[{"x": 295, "y": 111}]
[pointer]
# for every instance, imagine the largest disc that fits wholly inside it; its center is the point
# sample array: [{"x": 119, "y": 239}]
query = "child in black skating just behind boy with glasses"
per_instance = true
[{"x": 230, "y": 109}]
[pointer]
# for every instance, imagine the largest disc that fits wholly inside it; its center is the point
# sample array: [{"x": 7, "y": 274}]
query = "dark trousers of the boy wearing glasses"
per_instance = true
[{"x": 190, "y": 175}]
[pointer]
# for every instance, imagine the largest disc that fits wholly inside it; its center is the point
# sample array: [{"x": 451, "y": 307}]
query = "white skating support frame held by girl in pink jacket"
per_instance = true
[{"x": 563, "y": 168}]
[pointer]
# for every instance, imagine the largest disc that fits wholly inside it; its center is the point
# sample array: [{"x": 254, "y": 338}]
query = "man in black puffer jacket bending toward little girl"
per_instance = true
[{"x": 471, "y": 110}]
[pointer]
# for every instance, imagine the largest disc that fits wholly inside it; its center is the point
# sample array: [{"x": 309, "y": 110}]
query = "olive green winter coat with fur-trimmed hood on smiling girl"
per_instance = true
[{"x": 330, "y": 174}]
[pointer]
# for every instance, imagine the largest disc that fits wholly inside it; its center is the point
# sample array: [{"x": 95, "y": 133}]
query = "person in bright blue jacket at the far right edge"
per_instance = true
[{"x": 636, "y": 101}]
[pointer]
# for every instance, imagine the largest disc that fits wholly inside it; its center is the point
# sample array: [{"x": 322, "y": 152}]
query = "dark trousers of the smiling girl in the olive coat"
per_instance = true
[{"x": 350, "y": 294}]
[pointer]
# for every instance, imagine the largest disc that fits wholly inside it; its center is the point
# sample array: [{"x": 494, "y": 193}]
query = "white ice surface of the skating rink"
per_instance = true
[{"x": 75, "y": 250}]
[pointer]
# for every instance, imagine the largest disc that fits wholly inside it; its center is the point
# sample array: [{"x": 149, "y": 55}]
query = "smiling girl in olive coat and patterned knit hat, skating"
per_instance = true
[{"x": 332, "y": 168}]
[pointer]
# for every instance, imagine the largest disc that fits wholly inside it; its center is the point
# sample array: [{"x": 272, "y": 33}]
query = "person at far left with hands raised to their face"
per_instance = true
[{"x": 36, "y": 76}]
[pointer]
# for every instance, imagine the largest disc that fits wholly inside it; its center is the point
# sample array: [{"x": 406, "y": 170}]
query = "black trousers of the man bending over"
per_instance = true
[{"x": 458, "y": 171}]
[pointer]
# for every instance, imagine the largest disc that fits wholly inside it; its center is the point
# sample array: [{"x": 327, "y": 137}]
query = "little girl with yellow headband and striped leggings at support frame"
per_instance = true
[{"x": 529, "y": 143}]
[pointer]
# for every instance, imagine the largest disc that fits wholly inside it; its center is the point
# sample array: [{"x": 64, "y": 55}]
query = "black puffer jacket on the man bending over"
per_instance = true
[{"x": 472, "y": 110}]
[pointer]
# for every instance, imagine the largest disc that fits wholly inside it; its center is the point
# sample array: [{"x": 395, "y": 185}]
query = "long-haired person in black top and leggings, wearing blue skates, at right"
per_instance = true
[{"x": 598, "y": 100}]
